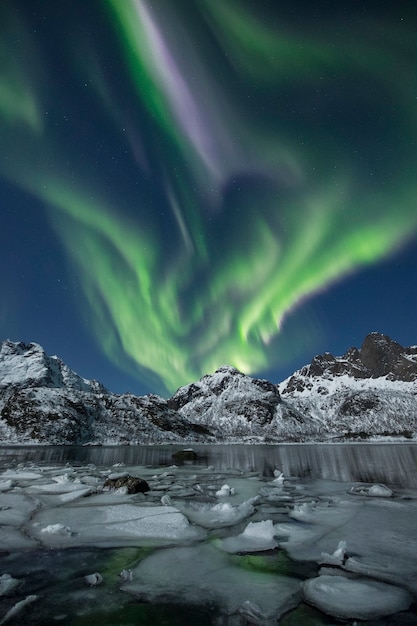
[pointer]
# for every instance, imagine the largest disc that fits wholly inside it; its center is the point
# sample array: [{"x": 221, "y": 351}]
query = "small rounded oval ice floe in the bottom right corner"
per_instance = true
[{"x": 358, "y": 599}]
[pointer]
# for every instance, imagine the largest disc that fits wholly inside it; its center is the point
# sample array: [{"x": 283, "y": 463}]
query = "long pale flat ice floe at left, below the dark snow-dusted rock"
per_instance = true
[{"x": 111, "y": 526}]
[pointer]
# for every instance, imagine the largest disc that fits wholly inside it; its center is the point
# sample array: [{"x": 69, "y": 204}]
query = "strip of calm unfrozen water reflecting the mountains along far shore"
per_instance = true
[{"x": 393, "y": 464}]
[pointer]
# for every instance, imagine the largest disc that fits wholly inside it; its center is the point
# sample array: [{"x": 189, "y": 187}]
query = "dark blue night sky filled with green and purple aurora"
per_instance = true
[{"x": 191, "y": 183}]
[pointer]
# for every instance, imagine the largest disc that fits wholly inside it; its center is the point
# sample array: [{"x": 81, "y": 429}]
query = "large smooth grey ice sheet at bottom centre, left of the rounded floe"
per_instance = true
[{"x": 205, "y": 576}]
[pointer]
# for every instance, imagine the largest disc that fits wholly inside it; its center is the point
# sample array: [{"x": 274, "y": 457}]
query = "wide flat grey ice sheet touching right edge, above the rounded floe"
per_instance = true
[{"x": 379, "y": 533}]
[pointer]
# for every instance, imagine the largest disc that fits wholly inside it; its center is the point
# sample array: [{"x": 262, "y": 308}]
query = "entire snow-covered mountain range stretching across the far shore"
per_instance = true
[{"x": 371, "y": 391}]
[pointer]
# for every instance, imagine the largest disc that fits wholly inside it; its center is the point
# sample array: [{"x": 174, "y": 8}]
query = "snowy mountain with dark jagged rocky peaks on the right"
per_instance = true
[{"x": 370, "y": 391}]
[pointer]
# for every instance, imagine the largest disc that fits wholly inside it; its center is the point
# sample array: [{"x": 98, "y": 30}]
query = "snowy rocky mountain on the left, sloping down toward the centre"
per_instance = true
[{"x": 43, "y": 401}]
